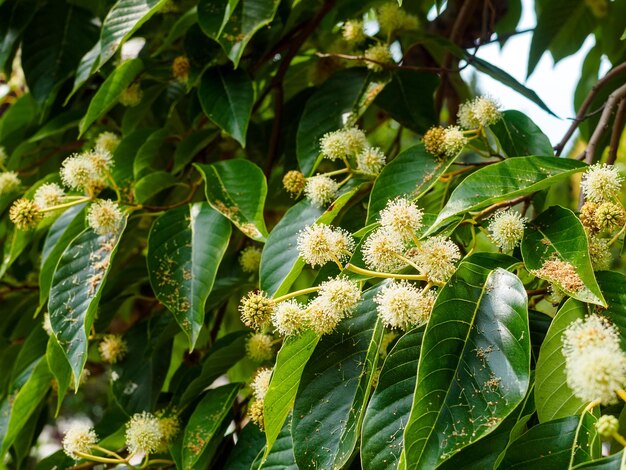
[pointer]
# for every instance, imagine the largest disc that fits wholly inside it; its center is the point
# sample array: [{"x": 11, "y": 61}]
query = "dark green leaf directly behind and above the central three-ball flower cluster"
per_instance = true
[{"x": 412, "y": 173}]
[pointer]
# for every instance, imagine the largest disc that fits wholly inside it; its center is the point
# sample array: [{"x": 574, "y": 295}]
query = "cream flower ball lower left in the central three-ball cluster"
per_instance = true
[{"x": 381, "y": 249}]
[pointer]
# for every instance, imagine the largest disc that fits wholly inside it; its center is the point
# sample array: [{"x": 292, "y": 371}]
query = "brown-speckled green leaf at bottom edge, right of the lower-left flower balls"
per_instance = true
[{"x": 205, "y": 422}]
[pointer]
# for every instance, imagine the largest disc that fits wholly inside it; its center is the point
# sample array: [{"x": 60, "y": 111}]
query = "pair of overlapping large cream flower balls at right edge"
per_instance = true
[{"x": 594, "y": 361}]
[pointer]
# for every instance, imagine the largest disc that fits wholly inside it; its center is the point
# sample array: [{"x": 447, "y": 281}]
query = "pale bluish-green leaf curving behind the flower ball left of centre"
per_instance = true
[{"x": 280, "y": 262}]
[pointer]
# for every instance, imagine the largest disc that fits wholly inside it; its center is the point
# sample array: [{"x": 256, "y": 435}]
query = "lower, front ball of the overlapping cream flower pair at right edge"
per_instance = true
[{"x": 597, "y": 374}]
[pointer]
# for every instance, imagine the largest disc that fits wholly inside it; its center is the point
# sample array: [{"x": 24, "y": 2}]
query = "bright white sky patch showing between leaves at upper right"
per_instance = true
[{"x": 555, "y": 85}]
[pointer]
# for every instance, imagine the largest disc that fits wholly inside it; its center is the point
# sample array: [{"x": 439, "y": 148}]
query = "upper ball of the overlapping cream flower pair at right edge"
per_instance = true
[{"x": 592, "y": 332}]
